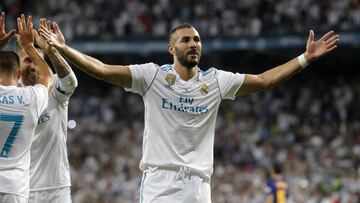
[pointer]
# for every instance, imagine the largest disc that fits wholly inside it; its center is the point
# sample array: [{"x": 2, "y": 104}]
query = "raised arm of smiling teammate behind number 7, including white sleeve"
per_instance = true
[{"x": 67, "y": 82}]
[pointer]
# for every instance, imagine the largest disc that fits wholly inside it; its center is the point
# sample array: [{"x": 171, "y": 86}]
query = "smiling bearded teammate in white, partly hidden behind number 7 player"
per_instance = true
[{"x": 49, "y": 169}]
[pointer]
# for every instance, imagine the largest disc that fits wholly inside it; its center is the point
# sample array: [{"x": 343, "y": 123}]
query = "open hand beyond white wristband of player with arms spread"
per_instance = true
[{"x": 316, "y": 49}]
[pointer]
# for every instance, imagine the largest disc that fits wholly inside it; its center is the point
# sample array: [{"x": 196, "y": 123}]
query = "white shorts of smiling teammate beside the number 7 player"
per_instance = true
[{"x": 58, "y": 195}]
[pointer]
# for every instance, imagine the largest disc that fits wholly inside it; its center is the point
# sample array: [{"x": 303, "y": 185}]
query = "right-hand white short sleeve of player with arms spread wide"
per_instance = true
[{"x": 229, "y": 83}]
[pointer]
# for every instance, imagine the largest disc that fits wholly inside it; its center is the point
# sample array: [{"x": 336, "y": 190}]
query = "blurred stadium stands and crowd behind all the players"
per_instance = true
[{"x": 311, "y": 123}]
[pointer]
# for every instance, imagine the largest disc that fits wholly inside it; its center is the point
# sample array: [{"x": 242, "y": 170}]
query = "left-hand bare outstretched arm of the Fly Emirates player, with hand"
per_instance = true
[{"x": 114, "y": 74}]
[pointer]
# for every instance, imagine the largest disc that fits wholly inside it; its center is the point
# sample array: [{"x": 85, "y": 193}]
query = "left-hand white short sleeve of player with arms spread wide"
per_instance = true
[{"x": 142, "y": 77}]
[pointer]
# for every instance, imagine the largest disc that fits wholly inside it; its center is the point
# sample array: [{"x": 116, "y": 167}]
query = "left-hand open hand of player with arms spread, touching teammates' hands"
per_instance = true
[{"x": 55, "y": 38}]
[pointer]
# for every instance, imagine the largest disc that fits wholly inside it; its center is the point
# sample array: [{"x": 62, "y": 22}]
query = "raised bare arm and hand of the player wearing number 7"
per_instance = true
[{"x": 26, "y": 40}]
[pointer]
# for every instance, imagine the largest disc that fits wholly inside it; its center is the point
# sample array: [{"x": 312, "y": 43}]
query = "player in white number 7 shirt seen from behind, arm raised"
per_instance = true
[{"x": 20, "y": 108}]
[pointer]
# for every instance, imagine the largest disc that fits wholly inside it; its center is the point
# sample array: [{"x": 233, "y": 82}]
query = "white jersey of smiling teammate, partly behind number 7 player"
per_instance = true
[{"x": 49, "y": 168}]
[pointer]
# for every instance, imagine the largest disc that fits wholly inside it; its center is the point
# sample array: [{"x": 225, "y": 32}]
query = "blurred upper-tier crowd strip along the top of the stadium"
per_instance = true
[{"x": 112, "y": 19}]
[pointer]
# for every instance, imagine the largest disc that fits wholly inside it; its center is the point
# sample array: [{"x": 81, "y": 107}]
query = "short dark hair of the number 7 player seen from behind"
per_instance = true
[{"x": 9, "y": 62}]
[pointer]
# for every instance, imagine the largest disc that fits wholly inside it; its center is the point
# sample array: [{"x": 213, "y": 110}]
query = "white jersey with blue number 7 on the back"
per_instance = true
[{"x": 20, "y": 108}]
